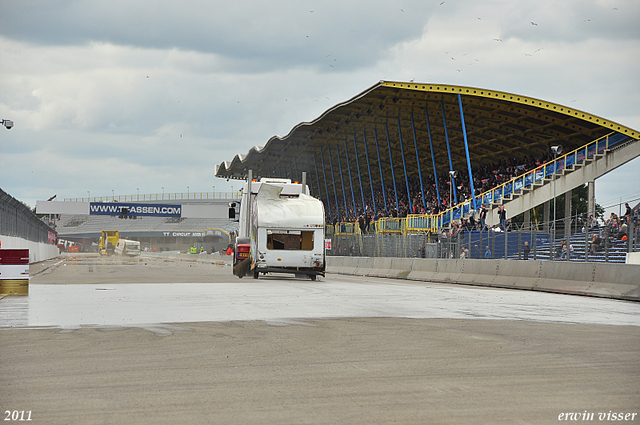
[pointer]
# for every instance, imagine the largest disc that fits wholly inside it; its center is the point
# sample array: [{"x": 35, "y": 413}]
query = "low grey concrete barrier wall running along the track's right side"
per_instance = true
[{"x": 618, "y": 281}]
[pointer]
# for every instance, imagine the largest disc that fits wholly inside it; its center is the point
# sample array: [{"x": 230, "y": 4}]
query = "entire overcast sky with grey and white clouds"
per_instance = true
[{"x": 116, "y": 97}]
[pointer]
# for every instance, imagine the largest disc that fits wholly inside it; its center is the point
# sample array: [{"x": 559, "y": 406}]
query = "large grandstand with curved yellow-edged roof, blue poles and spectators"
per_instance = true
[{"x": 395, "y": 149}]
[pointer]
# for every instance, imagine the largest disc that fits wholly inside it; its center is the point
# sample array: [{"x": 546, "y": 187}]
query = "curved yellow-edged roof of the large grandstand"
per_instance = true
[{"x": 498, "y": 125}]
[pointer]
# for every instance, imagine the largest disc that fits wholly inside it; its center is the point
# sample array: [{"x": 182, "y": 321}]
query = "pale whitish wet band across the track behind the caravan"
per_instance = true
[{"x": 282, "y": 300}]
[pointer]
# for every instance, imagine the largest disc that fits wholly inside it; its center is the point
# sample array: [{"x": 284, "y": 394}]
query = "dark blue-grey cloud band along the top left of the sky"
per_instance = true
[{"x": 256, "y": 34}]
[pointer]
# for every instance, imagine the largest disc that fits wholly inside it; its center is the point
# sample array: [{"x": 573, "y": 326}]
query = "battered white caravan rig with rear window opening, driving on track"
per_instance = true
[{"x": 283, "y": 227}]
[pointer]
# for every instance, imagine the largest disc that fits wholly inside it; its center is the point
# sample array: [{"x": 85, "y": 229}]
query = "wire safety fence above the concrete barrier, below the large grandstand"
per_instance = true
[{"x": 570, "y": 239}]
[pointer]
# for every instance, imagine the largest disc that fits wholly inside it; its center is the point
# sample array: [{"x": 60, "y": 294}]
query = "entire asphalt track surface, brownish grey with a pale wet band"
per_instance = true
[{"x": 154, "y": 341}]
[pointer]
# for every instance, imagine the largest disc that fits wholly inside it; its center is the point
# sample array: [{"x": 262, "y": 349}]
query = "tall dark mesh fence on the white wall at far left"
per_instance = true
[{"x": 17, "y": 220}]
